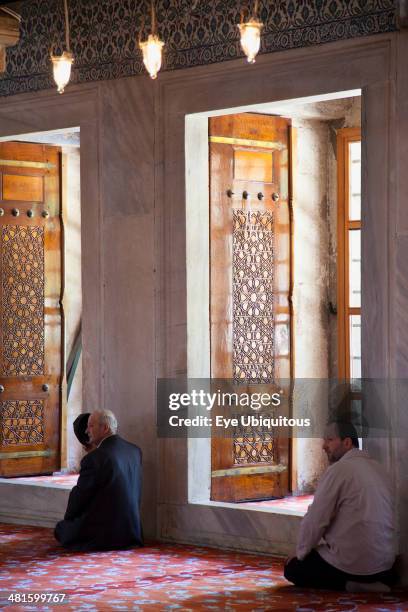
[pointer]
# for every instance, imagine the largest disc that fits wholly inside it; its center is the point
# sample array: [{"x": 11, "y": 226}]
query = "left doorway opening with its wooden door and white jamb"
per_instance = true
[{"x": 45, "y": 208}]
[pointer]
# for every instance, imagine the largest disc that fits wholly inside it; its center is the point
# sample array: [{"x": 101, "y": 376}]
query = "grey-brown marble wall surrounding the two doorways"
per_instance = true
[{"x": 134, "y": 244}]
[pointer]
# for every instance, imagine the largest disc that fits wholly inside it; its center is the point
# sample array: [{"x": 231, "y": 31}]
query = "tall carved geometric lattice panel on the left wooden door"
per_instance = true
[{"x": 22, "y": 264}]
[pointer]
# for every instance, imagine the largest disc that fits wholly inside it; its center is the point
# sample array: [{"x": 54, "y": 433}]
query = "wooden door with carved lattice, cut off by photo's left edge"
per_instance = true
[{"x": 30, "y": 311}]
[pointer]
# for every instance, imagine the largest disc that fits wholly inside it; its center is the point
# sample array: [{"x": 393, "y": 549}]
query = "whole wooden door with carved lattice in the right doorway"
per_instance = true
[{"x": 250, "y": 293}]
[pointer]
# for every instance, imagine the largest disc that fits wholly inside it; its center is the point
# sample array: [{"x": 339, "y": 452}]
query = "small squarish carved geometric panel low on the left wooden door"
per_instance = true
[{"x": 21, "y": 422}]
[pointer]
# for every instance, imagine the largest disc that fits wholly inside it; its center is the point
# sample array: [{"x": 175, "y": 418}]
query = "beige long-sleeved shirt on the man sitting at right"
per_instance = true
[{"x": 351, "y": 520}]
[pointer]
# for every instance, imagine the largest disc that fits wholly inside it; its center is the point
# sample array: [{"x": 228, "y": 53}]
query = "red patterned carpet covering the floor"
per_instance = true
[{"x": 158, "y": 577}]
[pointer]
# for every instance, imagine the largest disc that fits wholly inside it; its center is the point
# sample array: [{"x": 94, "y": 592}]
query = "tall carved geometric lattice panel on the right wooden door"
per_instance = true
[{"x": 252, "y": 291}]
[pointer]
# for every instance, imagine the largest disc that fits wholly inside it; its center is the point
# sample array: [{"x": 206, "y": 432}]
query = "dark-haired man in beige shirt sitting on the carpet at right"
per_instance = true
[{"x": 347, "y": 538}]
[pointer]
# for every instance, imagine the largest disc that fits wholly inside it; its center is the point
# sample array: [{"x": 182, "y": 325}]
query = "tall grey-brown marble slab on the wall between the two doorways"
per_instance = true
[{"x": 128, "y": 192}]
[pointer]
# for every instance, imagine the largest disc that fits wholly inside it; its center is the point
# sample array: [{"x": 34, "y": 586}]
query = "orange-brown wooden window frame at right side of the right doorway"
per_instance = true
[{"x": 345, "y": 136}]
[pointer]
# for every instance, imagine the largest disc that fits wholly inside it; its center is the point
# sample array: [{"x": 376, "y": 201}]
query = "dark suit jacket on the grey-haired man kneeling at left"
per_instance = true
[{"x": 104, "y": 508}]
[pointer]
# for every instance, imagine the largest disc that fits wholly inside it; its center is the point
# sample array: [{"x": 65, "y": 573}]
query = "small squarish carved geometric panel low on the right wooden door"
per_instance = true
[{"x": 252, "y": 445}]
